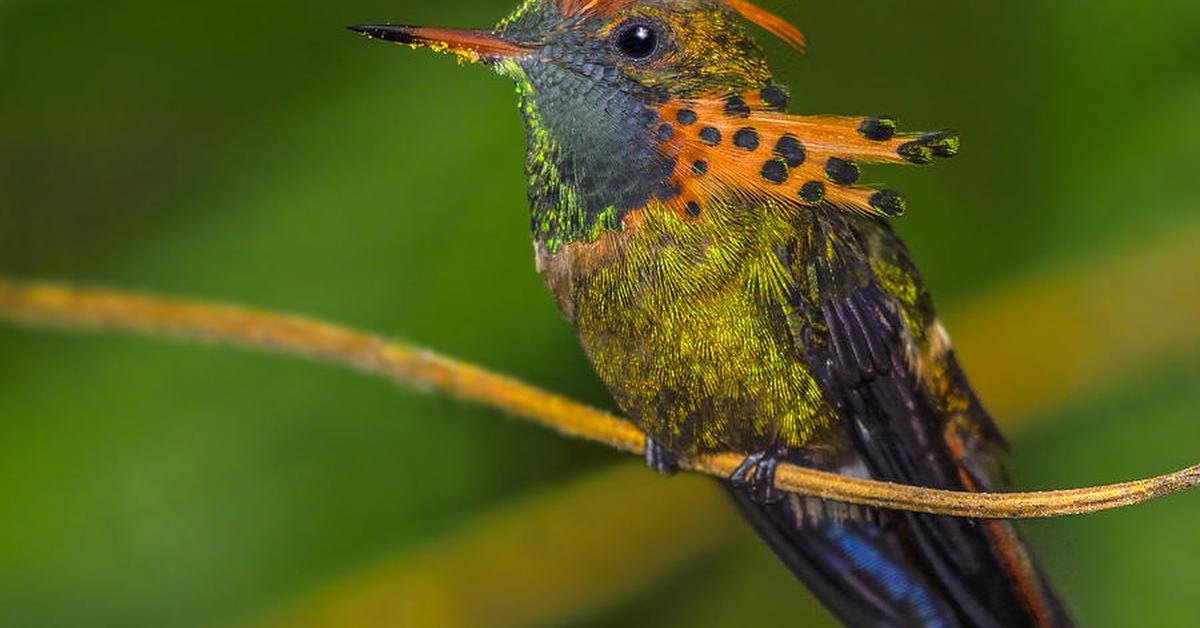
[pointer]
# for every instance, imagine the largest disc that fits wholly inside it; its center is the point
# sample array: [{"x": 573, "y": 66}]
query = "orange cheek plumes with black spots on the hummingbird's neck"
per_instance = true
[{"x": 745, "y": 143}]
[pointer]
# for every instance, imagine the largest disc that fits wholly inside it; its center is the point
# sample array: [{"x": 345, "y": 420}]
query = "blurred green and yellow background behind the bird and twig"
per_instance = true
[{"x": 255, "y": 153}]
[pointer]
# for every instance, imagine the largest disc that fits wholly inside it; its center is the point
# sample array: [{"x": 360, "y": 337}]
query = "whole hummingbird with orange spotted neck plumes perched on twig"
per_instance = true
[{"x": 739, "y": 290}]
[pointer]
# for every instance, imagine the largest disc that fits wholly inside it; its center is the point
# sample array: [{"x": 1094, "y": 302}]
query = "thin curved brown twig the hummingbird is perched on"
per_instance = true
[{"x": 47, "y": 304}]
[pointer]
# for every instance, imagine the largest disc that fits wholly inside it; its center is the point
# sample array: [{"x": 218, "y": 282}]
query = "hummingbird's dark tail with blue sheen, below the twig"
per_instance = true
[{"x": 871, "y": 567}]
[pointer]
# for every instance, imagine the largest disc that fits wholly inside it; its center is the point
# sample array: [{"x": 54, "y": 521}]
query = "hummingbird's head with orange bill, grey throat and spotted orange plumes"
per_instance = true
[{"x": 671, "y": 103}]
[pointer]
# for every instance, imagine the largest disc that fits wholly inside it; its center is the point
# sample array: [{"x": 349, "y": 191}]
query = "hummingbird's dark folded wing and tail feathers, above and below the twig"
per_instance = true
[{"x": 865, "y": 345}]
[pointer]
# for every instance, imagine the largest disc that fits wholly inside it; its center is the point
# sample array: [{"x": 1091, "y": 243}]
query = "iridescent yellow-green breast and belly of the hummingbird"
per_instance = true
[{"x": 687, "y": 321}]
